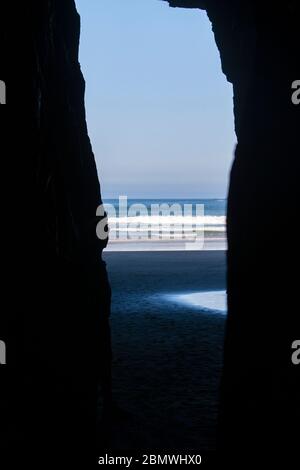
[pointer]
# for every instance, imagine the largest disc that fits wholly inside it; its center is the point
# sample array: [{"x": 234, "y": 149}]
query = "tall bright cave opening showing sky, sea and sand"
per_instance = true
[{"x": 160, "y": 118}]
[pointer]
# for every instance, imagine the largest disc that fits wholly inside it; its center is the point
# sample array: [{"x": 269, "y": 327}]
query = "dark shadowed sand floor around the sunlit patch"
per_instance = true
[{"x": 167, "y": 356}]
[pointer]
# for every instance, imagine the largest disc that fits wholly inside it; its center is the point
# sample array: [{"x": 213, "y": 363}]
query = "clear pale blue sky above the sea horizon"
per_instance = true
[{"x": 159, "y": 109}]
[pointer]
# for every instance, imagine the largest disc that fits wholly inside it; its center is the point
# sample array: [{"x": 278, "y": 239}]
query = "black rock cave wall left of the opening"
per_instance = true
[{"x": 55, "y": 324}]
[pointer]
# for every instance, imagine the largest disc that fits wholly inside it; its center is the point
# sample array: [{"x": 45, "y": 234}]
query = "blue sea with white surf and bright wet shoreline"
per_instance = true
[{"x": 166, "y": 224}]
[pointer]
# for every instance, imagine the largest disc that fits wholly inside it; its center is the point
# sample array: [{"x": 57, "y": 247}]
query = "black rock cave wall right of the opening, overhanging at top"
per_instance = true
[{"x": 258, "y": 41}]
